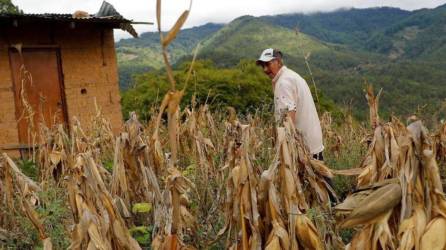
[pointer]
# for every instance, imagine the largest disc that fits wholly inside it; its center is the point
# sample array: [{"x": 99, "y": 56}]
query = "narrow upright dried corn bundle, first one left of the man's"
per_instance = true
[{"x": 243, "y": 225}]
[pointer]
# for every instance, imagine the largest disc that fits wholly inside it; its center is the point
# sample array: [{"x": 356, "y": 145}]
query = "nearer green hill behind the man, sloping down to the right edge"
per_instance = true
[{"x": 340, "y": 71}]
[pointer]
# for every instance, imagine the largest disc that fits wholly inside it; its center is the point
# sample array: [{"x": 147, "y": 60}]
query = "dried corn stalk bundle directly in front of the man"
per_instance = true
[{"x": 285, "y": 224}]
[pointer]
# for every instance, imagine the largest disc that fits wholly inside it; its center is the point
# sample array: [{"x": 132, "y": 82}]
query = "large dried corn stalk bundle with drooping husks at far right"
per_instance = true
[{"x": 399, "y": 192}]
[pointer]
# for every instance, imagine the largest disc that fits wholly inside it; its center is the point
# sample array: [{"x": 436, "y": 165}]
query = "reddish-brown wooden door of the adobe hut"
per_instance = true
[{"x": 39, "y": 93}]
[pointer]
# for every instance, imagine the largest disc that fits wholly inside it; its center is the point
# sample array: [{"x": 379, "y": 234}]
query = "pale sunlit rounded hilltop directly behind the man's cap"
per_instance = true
[{"x": 244, "y": 38}]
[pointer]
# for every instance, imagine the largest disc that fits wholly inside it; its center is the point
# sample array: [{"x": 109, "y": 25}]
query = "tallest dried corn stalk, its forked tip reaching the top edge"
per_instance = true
[{"x": 170, "y": 231}]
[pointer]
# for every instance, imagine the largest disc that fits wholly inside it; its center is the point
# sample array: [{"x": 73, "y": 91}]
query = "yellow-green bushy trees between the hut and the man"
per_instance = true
[{"x": 243, "y": 87}]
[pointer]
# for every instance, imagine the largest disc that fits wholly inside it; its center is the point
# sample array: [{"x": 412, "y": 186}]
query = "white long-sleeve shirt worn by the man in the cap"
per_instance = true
[{"x": 291, "y": 93}]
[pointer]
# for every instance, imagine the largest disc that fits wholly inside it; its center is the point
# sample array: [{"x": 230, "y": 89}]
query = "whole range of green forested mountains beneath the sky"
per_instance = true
[{"x": 400, "y": 51}]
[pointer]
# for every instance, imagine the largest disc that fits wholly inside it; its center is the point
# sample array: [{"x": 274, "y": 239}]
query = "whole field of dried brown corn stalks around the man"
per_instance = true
[{"x": 207, "y": 179}]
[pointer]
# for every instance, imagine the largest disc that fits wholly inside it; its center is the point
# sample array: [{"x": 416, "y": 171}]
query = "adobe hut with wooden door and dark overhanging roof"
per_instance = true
[{"x": 72, "y": 63}]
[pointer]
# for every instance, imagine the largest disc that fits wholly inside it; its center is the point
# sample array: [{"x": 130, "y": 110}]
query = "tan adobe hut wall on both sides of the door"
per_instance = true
[{"x": 89, "y": 72}]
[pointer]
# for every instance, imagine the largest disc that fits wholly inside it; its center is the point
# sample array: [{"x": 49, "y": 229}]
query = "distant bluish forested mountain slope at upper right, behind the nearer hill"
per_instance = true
[{"x": 391, "y": 31}]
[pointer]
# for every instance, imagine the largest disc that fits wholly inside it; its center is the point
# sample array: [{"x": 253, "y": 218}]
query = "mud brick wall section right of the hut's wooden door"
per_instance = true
[{"x": 90, "y": 73}]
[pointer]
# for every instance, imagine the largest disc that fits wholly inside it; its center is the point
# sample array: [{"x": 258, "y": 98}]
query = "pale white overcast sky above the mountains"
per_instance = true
[{"x": 204, "y": 11}]
